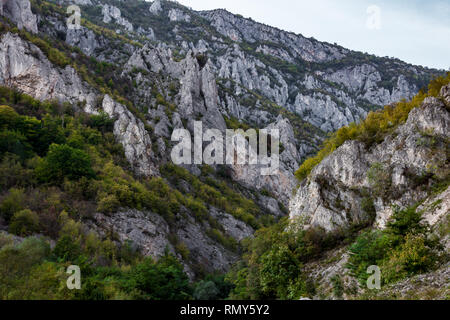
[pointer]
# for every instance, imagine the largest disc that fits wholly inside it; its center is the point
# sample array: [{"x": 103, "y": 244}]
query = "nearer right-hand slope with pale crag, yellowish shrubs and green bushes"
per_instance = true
[{"x": 377, "y": 206}]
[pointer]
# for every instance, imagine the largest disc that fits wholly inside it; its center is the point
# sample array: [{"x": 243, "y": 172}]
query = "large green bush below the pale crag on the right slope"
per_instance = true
[{"x": 402, "y": 249}]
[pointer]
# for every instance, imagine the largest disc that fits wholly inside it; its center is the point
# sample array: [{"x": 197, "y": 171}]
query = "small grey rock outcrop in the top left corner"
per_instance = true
[{"x": 19, "y": 11}]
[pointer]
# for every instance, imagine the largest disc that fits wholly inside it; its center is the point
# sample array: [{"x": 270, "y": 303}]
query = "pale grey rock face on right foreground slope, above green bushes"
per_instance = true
[{"x": 332, "y": 197}]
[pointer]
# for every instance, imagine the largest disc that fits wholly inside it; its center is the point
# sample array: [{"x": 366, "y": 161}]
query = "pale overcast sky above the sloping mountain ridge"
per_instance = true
[{"x": 416, "y": 31}]
